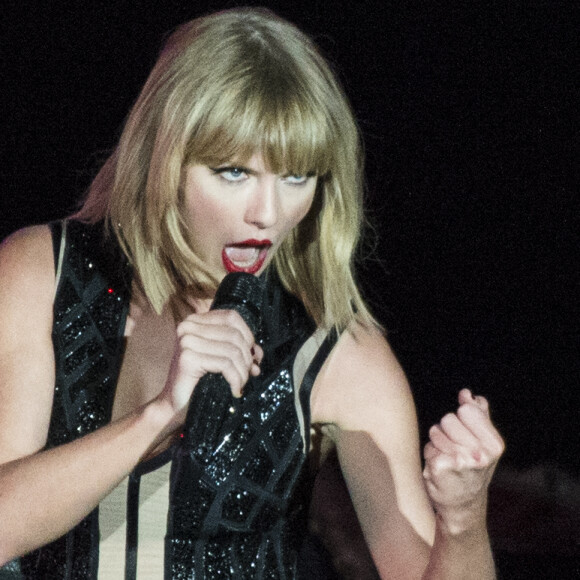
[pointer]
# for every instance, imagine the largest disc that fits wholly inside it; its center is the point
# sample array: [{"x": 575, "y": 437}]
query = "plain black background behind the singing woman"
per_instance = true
[{"x": 468, "y": 111}]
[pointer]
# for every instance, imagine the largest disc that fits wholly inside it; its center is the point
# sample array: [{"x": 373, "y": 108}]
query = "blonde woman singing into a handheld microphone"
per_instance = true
[{"x": 241, "y": 155}]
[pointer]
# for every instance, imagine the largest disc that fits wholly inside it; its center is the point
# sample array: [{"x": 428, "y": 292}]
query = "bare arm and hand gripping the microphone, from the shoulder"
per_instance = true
[{"x": 45, "y": 493}]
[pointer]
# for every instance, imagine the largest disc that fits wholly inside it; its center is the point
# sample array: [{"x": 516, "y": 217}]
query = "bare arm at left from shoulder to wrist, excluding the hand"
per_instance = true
[{"x": 42, "y": 495}]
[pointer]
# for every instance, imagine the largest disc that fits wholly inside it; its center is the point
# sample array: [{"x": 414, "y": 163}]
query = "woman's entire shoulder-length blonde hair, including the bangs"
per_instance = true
[{"x": 224, "y": 87}]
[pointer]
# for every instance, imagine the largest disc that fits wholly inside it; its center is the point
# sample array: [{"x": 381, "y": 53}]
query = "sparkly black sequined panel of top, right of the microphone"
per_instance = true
[{"x": 237, "y": 507}]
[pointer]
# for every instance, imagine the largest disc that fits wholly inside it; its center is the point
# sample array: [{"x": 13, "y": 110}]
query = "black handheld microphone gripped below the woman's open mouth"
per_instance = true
[{"x": 212, "y": 399}]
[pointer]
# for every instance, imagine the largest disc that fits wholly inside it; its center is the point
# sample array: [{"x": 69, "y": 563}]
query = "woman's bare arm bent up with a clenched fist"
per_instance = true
[{"x": 364, "y": 402}]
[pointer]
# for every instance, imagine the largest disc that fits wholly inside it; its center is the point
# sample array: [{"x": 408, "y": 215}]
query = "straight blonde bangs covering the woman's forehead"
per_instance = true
[{"x": 286, "y": 127}]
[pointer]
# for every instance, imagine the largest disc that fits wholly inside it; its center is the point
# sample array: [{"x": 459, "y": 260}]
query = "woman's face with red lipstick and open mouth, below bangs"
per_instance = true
[{"x": 240, "y": 214}]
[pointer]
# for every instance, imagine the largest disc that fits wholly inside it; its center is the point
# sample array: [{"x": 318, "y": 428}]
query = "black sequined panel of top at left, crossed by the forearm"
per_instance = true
[{"x": 90, "y": 308}]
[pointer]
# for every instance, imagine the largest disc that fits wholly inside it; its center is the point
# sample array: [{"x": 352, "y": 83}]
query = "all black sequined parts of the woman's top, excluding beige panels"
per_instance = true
[{"x": 236, "y": 508}]
